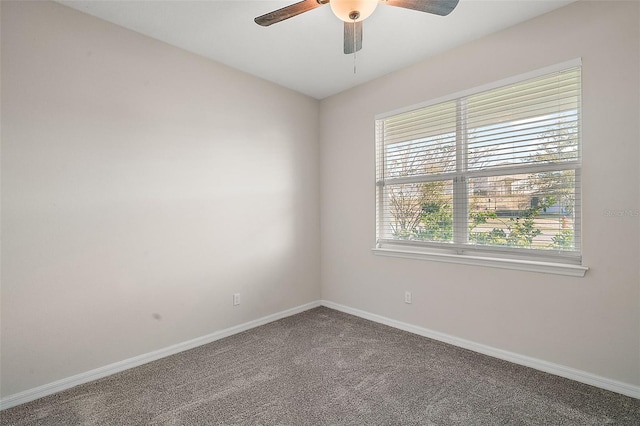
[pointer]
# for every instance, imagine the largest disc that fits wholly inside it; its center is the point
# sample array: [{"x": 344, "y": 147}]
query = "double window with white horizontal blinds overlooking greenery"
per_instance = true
[{"x": 492, "y": 173}]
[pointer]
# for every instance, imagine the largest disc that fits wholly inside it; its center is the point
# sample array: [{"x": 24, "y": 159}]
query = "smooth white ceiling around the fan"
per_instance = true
[{"x": 304, "y": 53}]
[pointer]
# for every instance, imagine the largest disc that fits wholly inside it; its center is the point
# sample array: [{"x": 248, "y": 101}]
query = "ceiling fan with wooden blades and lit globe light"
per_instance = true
[{"x": 353, "y": 12}]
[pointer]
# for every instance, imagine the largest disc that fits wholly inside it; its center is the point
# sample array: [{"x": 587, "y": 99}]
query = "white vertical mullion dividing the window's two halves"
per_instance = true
[{"x": 460, "y": 196}]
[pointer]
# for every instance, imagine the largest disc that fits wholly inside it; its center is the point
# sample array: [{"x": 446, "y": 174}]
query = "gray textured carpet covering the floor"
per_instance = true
[{"x": 326, "y": 367}]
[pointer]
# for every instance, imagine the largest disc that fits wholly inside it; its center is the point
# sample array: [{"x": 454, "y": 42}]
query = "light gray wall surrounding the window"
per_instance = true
[{"x": 590, "y": 324}]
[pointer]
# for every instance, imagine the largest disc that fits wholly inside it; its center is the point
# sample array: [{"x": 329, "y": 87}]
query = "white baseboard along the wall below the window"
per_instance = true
[{"x": 548, "y": 367}]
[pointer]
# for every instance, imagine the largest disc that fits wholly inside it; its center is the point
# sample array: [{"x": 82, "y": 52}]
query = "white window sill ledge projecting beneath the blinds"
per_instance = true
[{"x": 515, "y": 264}]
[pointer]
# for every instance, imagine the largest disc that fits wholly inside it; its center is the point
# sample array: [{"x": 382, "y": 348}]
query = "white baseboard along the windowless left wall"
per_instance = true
[{"x": 117, "y": 367}]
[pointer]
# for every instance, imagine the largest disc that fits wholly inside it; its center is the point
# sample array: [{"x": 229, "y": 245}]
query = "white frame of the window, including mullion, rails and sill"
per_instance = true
[{"x": 547, "y": 261}]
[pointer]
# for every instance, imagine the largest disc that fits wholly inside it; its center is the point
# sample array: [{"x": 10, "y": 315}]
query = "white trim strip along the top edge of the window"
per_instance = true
[{"x": 490, "y": 86}]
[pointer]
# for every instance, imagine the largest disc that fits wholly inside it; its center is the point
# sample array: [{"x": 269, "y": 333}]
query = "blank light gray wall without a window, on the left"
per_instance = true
[{"x": 141, "y": 187}]
